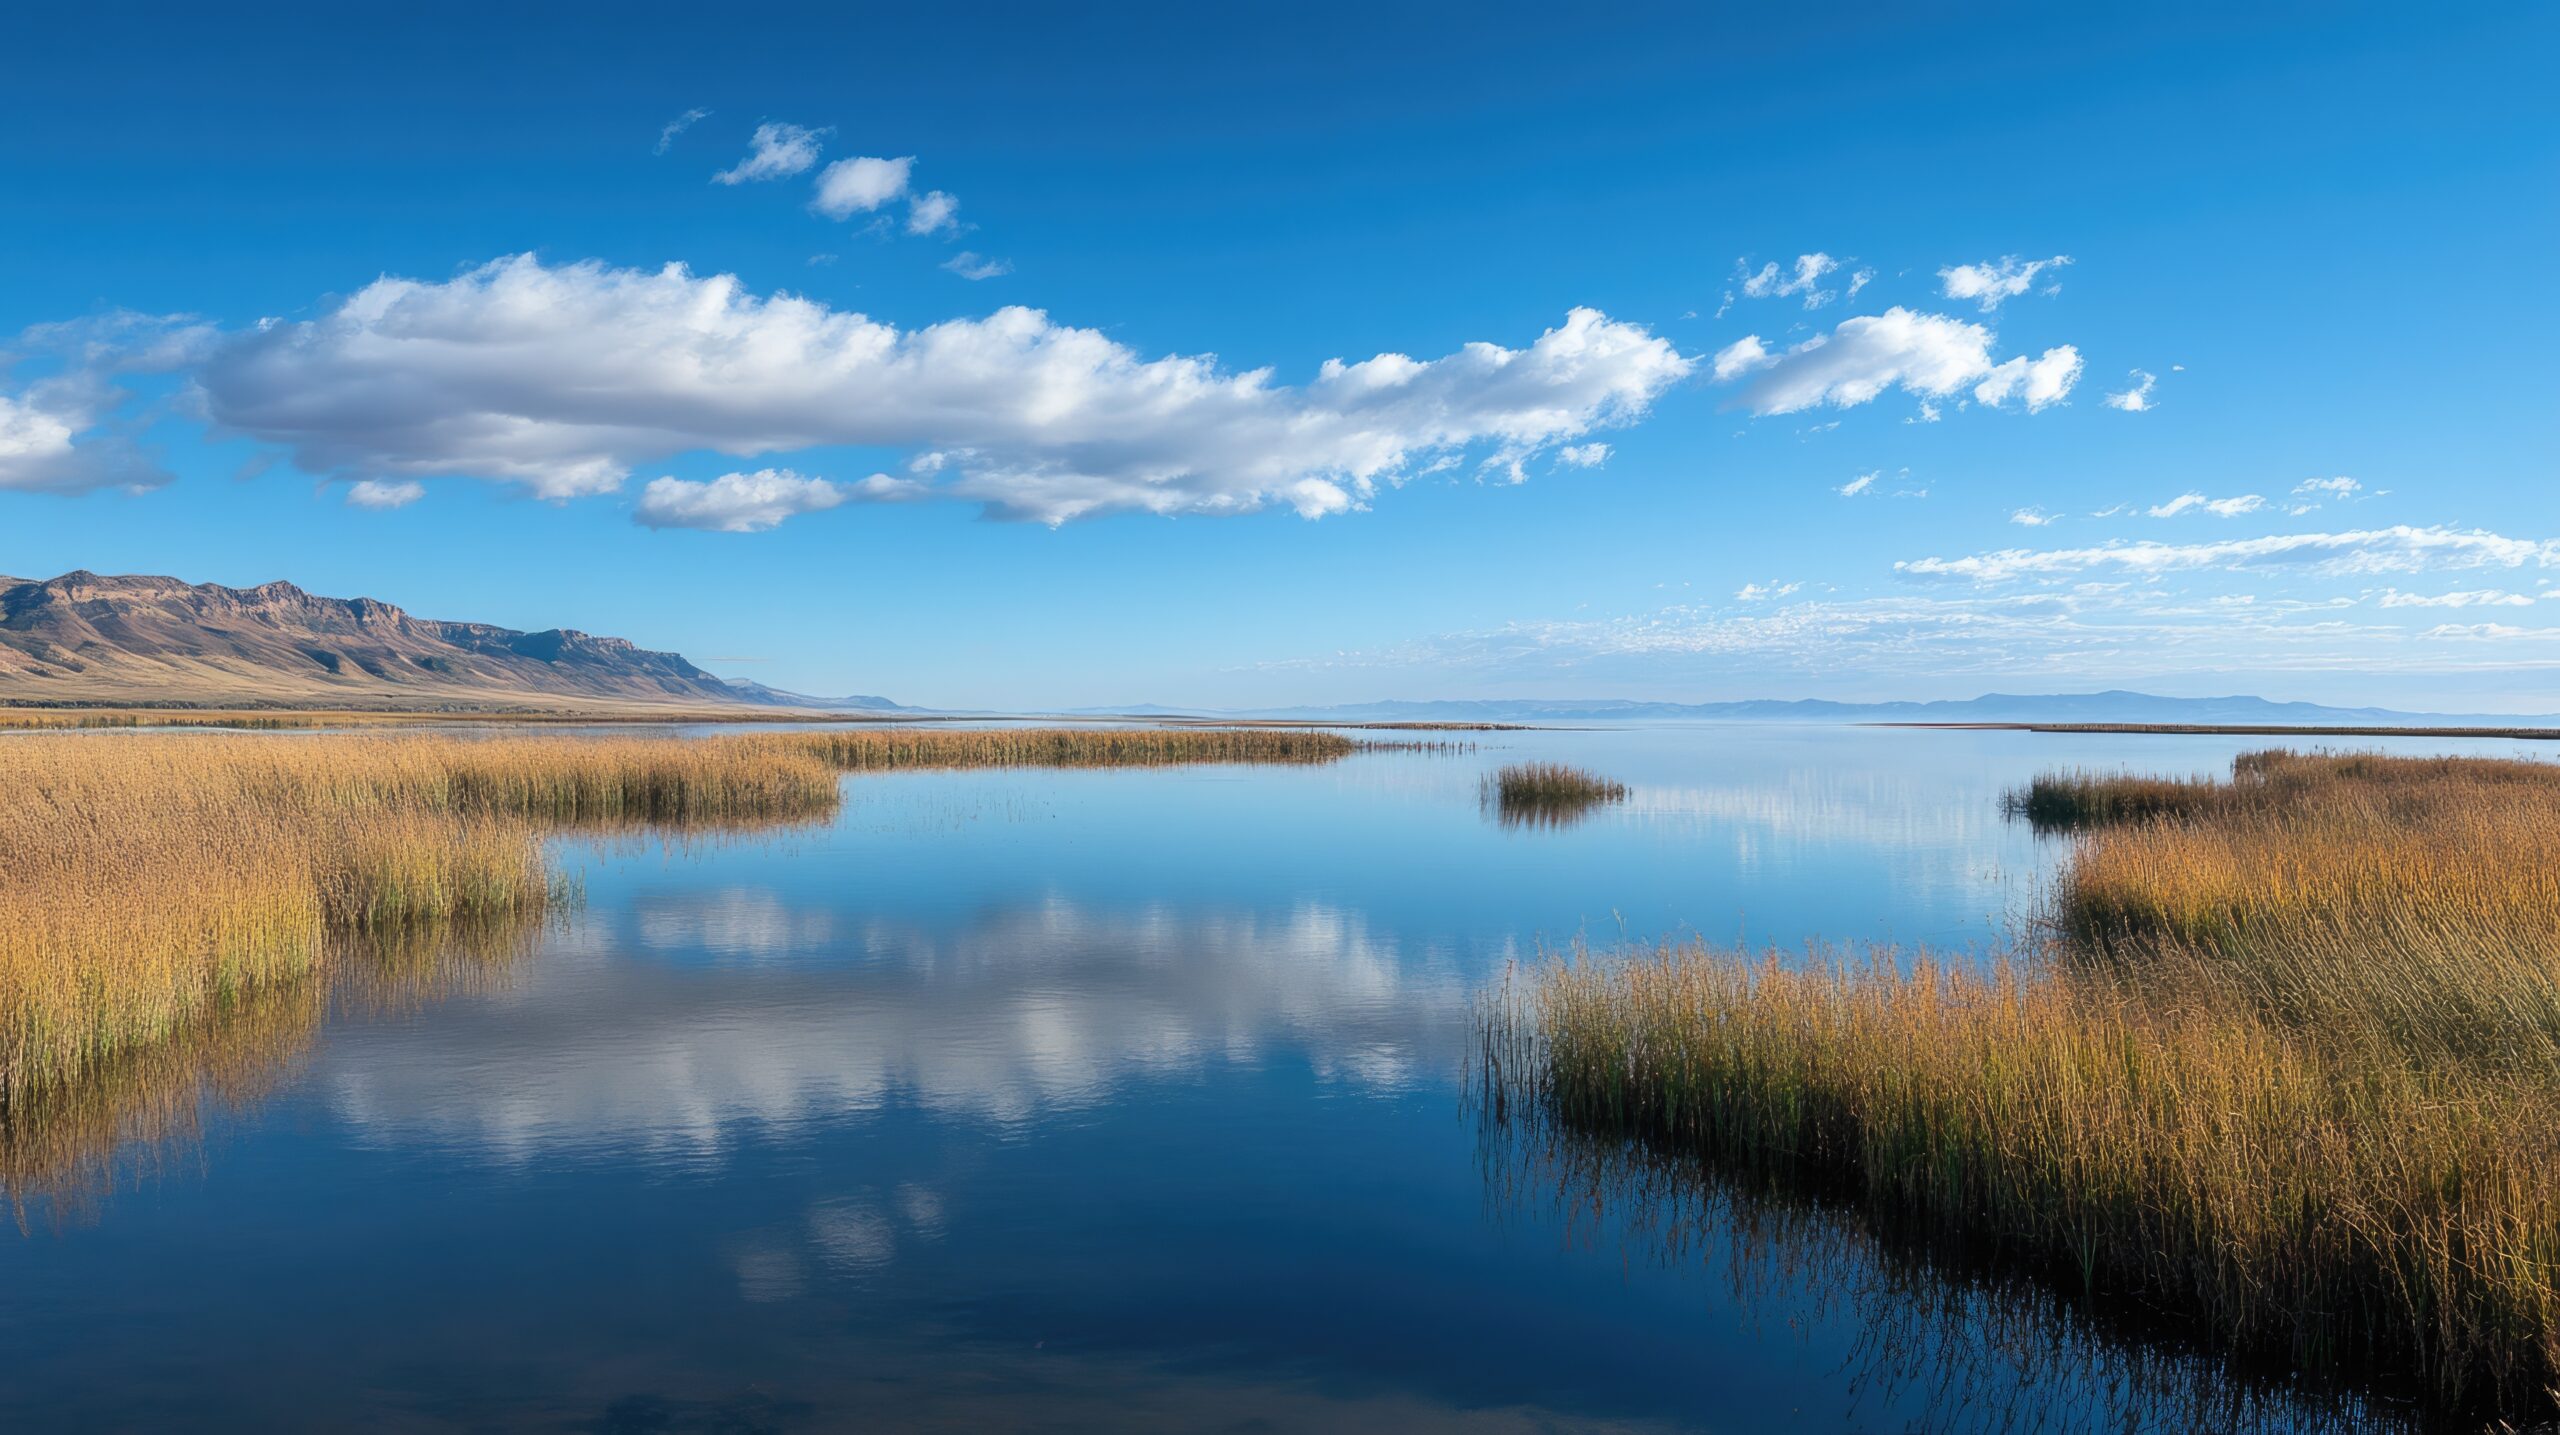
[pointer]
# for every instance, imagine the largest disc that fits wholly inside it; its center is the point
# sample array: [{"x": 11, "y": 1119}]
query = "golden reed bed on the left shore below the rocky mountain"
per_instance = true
[{"x": 152, "y": 881}]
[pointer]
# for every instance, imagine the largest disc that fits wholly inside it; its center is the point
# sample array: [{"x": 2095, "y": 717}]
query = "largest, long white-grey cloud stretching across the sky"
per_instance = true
[{"x": 564, "y": 377}]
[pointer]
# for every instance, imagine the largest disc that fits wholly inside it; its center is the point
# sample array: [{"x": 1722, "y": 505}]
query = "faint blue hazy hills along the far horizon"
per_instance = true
[{"x": 2113, "y": 707}]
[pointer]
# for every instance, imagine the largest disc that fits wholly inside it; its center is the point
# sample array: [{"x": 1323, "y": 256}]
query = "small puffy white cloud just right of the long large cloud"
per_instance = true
[{"x": 1932, "y": 357}]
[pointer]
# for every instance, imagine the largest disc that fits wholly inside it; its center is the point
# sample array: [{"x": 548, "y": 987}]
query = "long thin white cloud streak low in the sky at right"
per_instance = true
[{"x": 2367, "y": 551}]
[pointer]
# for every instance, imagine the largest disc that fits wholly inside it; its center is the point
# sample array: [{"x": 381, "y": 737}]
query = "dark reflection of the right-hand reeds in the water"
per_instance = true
[{"x": 1942, "y": 1339}]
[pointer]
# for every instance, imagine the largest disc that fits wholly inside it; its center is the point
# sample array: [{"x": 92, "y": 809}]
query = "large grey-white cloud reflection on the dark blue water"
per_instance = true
[{"x": 1018, "y": 1017}]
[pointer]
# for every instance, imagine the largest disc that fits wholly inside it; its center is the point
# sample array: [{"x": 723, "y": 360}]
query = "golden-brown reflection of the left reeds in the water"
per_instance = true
[{"x": 68, "y": 1145}]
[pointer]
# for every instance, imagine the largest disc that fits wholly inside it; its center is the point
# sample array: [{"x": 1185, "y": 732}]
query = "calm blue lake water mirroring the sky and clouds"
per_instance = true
[{"x": 1059, "y": 1101}]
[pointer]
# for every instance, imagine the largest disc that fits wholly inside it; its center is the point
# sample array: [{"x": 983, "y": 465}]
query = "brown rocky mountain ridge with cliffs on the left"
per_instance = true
[{"x": 88, "y": 638}]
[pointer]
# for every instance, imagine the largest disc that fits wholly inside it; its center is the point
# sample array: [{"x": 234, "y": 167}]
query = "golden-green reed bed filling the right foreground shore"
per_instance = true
[{"x": 2285, "y": 1070}]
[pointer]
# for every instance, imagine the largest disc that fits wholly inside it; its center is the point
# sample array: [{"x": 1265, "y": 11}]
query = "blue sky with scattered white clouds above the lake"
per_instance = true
[{"x": 385, "y": 306}]
